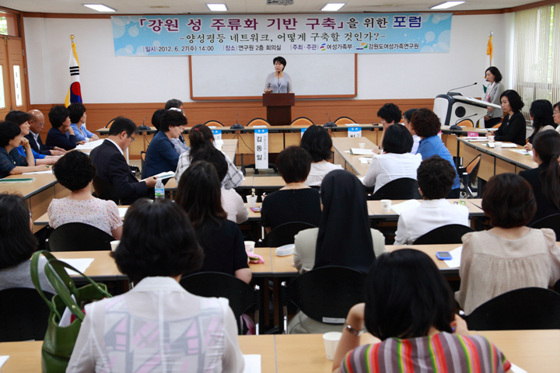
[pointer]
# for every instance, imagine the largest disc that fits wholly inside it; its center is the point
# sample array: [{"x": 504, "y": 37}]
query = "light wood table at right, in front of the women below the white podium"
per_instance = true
[{"x": 492, "y": 161}]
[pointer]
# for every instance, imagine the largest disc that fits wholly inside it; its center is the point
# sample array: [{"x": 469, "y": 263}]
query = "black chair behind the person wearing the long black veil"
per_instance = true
[{"x": 324, "y": 294}]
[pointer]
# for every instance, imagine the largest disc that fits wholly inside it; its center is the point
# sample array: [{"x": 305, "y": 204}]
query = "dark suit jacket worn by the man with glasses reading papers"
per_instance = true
[{"x": 113, "y": 179}]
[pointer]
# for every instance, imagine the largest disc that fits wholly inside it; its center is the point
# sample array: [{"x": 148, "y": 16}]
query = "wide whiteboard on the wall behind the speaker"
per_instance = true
[{"x": 245, "y": 75}]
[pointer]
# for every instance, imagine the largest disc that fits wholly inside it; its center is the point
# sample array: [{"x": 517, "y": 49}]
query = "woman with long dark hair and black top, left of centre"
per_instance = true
[{"x": 198, "y": 194}]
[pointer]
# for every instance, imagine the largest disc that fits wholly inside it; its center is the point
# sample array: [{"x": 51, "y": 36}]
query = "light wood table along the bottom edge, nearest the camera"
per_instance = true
[{"x": 531, "y": 350}]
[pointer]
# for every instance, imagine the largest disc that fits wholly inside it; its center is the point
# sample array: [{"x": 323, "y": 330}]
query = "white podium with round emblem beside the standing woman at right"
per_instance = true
[{"x": 453, "y": 108}]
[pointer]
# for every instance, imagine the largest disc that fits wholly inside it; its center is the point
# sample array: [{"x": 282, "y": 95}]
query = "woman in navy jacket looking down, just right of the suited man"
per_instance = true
[{"x": 161, "y": 155}]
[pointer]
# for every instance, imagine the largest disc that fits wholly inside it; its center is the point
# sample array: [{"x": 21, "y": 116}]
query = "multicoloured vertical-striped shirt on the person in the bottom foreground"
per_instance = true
[{"x": 440, "y": 353}]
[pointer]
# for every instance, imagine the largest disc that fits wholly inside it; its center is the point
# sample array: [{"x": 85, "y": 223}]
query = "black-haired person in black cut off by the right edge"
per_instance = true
[{"x": 547, "y": 146}]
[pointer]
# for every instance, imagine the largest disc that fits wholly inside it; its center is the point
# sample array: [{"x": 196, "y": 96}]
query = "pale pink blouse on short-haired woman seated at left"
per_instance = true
[{"x": 100, "y": 213}]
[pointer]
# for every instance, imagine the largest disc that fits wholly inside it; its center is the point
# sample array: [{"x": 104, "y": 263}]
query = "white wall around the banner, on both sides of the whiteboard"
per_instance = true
[{"x": 106, "y": 78}]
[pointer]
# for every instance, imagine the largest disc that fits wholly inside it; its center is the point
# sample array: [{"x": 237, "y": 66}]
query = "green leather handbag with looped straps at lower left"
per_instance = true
[{"x": 59, "y": 340}]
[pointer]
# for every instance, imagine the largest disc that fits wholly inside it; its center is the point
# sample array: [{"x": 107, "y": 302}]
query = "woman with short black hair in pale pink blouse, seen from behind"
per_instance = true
[{"x": 75, "y": 172}]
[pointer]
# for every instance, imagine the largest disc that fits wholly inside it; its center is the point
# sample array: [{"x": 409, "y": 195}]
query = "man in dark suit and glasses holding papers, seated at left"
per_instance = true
[{"x": 114, "y": 179}]
